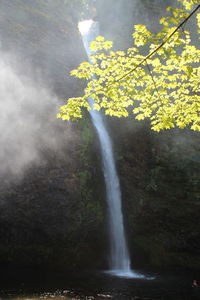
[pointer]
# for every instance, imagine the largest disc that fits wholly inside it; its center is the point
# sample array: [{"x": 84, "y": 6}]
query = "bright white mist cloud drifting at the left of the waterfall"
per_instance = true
[{"x": 27, "y": 118}]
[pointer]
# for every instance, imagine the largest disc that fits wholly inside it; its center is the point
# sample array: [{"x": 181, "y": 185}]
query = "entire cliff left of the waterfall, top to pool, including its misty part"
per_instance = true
[{"x": 50, "y": 212}]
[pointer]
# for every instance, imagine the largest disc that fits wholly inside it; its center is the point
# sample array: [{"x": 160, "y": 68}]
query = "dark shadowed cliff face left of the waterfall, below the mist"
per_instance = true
[{"x": 53, "y": 217}]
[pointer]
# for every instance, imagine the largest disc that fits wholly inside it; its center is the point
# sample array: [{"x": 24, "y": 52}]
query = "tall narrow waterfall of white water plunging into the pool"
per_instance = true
[{"x": 119, "y": 256}]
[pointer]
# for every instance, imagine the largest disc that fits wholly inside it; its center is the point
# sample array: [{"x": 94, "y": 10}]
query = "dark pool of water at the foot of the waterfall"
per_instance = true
[{"x": 96, "y": 285}]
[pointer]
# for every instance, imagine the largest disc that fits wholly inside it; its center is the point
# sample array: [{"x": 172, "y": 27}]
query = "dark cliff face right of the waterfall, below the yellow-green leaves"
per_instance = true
[{"x": 159, "y": 176}]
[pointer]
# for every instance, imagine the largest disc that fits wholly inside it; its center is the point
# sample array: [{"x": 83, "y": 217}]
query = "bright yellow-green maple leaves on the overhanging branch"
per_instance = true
[{"x": 158, "y": 78}]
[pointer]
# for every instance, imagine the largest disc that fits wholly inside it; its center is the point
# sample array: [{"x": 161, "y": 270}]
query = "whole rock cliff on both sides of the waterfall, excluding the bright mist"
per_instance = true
[{"x": 54, "y": 213}]
